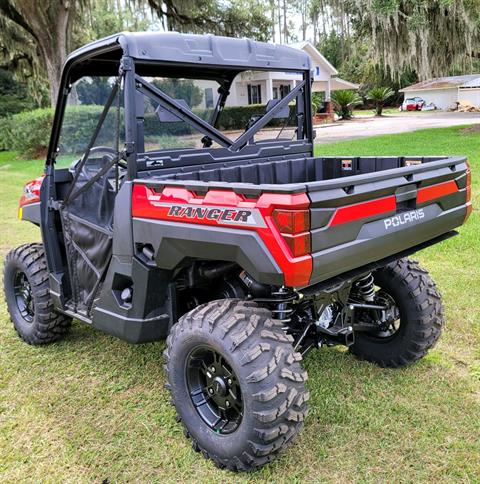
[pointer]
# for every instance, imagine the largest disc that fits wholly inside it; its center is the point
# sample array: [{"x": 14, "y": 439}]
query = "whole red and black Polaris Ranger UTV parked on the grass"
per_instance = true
[{"x": 240, "y": 246}]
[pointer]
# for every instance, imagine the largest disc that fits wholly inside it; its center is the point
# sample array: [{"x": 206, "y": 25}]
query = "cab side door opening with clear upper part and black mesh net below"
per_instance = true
[{"x": 89, "y": 142}]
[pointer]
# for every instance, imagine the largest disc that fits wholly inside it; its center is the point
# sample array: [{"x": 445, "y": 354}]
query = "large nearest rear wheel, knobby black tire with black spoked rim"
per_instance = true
[{"x": 255, "y": 369}]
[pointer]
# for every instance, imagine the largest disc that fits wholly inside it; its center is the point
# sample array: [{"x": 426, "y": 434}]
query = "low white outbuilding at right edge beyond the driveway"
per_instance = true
[{"x": 446, "y": 92}]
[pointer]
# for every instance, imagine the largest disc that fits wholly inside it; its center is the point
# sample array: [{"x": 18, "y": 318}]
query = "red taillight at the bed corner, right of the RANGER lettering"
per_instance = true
[{"x": 294, "y": 227}]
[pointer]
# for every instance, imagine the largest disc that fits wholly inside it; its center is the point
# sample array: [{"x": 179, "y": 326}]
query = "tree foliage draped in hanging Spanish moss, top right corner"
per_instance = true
[{"x": 427, "y": 36}]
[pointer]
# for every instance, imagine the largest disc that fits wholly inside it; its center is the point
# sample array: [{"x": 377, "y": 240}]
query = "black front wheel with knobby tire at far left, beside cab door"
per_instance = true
[{"x": 27, "y": 294}]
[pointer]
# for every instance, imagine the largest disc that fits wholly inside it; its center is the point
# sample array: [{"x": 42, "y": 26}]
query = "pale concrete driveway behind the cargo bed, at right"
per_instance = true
[{"x": 362, "y": 127}]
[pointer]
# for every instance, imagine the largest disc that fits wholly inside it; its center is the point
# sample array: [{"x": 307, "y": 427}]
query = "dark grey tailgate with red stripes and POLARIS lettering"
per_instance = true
[{"x": 362, "y": 219}]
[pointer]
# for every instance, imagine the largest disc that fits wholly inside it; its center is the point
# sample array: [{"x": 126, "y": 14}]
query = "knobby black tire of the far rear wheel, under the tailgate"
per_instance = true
[{"x": 421, "y": 317}]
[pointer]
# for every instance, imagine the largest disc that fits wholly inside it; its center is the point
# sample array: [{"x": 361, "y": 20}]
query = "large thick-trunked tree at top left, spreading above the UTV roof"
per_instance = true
[{"x": 41, "y": 36}]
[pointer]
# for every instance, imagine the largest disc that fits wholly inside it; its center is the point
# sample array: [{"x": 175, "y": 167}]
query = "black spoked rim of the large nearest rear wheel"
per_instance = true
[{"x": 214, "y": 390}]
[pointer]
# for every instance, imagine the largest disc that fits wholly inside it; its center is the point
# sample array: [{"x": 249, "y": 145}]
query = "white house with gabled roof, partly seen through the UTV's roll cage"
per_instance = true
[{"x": 259, "y": 87}]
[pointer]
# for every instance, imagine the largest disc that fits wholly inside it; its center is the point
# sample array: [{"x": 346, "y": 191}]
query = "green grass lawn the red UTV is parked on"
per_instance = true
[{"x": 92, "y": 407}]
